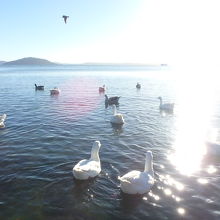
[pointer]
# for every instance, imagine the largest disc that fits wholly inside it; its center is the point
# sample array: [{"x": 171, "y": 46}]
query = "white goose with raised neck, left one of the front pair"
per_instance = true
[{"x": 85, "y": 169}]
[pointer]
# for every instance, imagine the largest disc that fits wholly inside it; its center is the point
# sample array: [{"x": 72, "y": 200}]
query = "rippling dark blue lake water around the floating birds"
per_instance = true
[{"x": 45, "y": 136}]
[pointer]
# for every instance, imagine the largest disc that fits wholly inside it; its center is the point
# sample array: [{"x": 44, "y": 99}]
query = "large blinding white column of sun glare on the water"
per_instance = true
[{"x": 195, "y": 105}]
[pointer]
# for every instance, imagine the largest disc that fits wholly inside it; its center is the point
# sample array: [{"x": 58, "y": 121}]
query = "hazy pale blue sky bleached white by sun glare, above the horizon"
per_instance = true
[{"x": 138, "y": 31}]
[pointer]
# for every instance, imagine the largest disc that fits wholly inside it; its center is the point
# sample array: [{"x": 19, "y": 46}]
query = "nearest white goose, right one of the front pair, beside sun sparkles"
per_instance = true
[{"x": 136, "y": 182}]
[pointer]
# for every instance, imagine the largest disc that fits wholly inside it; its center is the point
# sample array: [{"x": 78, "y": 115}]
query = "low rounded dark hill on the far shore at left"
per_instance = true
[{"x": 29, "y": 61}]
